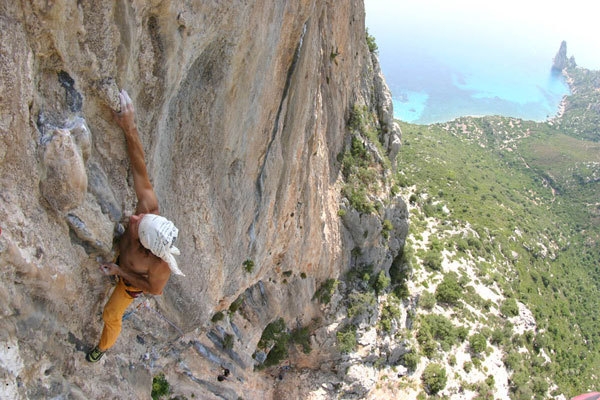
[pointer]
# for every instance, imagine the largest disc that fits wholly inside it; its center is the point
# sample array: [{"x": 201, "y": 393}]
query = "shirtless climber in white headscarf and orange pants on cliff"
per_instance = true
[{"x": 146, "y": 248}]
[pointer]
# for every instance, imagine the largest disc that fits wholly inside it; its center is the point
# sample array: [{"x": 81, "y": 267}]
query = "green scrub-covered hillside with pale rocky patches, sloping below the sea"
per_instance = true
[{"x": 505, "y": 213}]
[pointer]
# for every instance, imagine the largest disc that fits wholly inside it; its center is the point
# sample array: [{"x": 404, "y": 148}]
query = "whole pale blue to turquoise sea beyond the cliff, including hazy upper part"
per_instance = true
[{"x": 445, "y": 66}]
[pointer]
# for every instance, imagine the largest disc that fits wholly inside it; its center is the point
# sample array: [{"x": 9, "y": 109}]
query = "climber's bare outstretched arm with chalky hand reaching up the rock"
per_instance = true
[{"x": 125, "y": 118}]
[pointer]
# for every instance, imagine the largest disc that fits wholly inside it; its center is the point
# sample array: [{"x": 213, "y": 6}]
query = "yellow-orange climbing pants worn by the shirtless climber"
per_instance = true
[{"x": 114, "y": 309}]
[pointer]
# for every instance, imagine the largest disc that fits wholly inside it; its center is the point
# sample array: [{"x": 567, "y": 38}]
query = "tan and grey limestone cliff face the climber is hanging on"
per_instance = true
[{"x": 242, "y": 108}]
